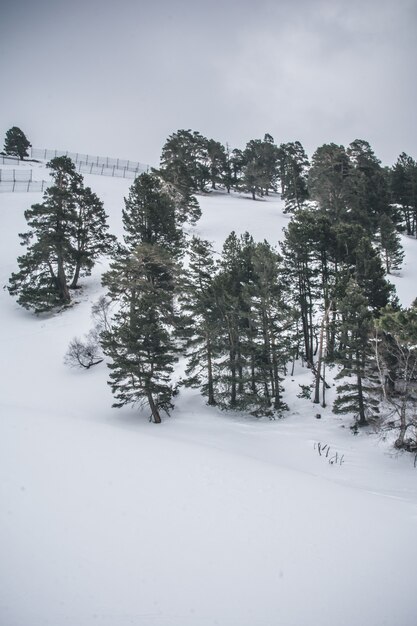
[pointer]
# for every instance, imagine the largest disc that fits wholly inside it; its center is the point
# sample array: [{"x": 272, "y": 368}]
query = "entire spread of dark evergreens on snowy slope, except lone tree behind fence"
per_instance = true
[{"x": 241, "y": 318}]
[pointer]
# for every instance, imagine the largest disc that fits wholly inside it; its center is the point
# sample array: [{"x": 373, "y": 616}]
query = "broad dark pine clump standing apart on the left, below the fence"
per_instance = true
[{"x": 68, "y": 231}]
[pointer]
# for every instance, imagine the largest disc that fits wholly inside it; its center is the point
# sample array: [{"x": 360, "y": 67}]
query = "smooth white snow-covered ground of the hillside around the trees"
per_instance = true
[{"x": 206, "y": 519}]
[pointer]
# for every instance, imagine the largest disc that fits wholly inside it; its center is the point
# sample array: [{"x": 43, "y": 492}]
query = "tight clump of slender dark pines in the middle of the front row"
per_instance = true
[{"x": 255, "y": 326}]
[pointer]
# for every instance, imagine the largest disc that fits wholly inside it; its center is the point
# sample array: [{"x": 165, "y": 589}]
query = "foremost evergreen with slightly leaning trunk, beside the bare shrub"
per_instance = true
[{"x": 140, "y": 342}]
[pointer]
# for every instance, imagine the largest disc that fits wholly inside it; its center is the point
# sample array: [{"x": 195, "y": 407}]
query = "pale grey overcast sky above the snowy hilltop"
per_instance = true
[{"x": 117, "y": 78}]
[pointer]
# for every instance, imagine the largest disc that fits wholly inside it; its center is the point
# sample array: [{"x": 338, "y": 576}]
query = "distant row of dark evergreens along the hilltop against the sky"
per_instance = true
[{"x": 337, "y": 177}]
